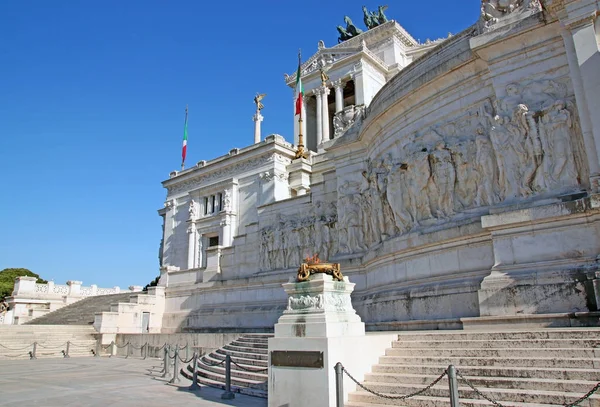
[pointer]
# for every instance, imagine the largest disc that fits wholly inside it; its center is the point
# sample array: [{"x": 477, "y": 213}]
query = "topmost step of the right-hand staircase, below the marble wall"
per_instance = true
[{"x": 557, "y": 333}]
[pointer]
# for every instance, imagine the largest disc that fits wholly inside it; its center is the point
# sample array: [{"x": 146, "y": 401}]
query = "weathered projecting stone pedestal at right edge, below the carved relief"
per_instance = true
[{"x": 545, "y": 260}]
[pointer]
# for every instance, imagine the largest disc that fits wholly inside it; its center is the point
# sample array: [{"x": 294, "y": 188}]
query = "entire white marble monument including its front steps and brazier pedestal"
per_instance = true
[{"x": 446, "y": 185}]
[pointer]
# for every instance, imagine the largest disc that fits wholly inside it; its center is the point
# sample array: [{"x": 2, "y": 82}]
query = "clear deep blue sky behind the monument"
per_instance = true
[{"x": 92, "y": 99}]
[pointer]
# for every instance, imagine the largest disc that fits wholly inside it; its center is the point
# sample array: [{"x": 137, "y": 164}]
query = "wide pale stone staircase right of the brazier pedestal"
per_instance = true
[{"x": 516, "y": 368}]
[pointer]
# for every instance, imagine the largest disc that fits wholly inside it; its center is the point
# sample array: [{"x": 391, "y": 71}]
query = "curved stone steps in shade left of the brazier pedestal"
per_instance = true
[{"x": 250, "y": 352}]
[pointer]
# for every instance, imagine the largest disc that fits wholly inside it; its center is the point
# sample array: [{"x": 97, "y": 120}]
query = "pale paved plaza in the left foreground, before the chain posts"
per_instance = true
[{"x": 106, "y": 382}]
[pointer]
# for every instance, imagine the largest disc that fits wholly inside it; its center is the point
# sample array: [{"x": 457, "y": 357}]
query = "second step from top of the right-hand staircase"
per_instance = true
[{"x": 496, "y": 344}]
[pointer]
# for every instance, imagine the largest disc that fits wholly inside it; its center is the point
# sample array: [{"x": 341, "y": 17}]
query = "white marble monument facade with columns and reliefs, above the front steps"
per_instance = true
[{"x": 456, "y": 181}]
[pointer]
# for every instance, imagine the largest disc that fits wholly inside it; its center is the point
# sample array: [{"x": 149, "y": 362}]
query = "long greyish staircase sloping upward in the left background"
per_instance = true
[{"x": 81, "y": 312}]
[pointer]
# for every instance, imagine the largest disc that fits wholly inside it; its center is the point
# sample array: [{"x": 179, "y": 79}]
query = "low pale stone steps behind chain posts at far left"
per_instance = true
[{"x": 16, "y": 341}]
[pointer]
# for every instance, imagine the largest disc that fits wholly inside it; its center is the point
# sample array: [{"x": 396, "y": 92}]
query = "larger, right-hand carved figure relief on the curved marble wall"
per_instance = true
[{"x": 504, "y": 150}]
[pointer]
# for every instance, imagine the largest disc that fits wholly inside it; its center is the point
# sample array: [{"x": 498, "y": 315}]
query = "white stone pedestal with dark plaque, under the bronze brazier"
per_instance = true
[{"x": 319, "y": 318}]
